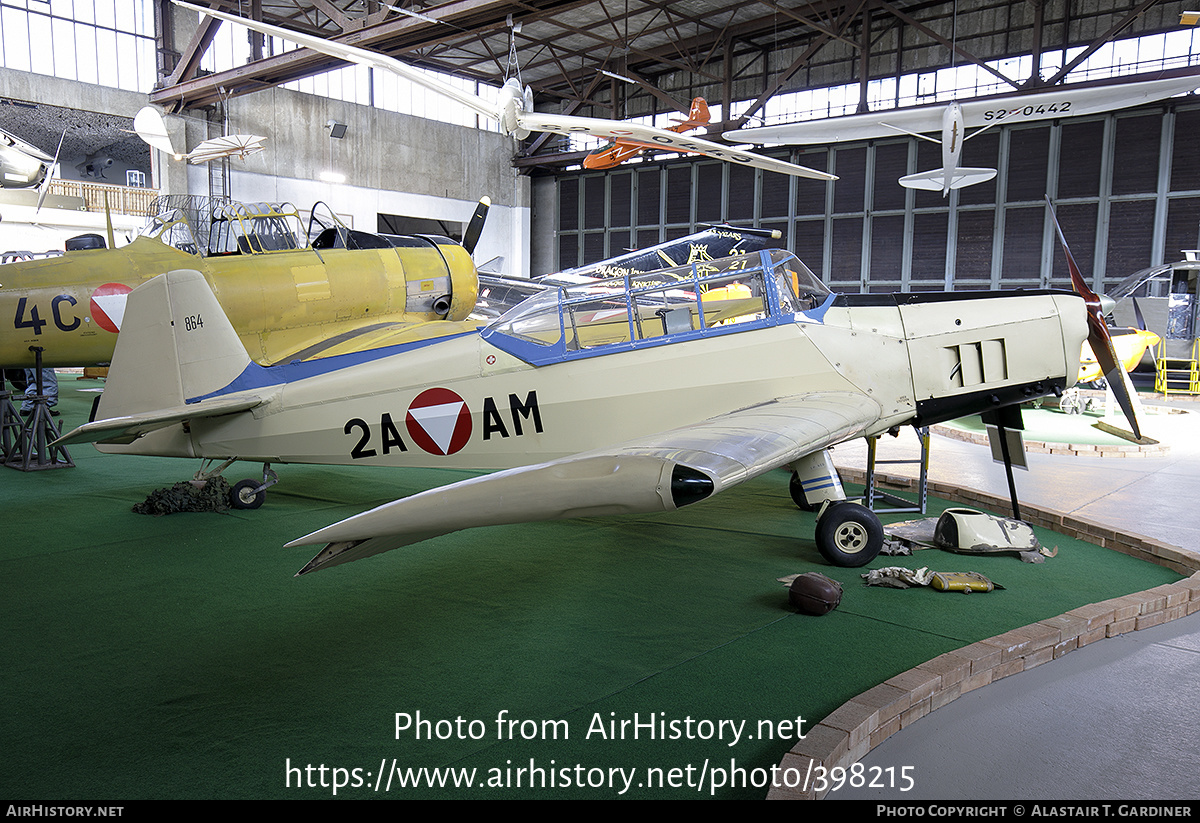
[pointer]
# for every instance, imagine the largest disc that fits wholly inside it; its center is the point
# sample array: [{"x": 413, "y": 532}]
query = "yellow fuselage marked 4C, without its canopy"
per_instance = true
[{"x": 284, "y": 305}]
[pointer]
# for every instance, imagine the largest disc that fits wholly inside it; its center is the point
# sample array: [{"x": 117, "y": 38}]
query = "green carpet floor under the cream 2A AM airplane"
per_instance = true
[{"x": 178, "y": 657}]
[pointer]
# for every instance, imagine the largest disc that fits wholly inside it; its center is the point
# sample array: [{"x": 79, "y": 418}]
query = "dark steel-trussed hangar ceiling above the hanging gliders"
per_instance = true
[{"x": 628, "y": 58}]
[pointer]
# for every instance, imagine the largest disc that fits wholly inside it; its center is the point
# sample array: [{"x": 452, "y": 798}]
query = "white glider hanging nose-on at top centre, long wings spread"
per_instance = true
[{"x": 514, "y": 110}]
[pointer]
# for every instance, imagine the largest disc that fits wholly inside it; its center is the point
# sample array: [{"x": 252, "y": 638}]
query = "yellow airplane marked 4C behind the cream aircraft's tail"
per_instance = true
[{"x": 289, "y": 301}]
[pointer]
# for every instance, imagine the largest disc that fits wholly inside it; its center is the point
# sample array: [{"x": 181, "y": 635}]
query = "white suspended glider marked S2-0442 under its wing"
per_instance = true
[{"x": 955, "y": 119}]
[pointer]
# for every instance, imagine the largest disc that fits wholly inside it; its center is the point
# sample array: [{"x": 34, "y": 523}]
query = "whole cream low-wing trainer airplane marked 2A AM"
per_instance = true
[{"x": 604, "y": 399}]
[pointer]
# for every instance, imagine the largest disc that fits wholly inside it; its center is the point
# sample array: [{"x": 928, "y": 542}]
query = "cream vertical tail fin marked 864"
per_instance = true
[{"x": 176, "y": 345}]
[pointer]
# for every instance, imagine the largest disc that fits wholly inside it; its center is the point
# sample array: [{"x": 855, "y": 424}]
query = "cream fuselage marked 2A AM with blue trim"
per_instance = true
[{"x": 470, "y": 403}]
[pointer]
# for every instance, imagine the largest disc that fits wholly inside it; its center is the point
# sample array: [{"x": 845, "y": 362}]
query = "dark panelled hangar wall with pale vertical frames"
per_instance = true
[{"x": 1126, "y": 188}]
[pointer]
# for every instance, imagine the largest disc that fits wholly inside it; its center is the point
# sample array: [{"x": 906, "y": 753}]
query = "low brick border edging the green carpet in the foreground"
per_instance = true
[{"x": 866, "y": 722}]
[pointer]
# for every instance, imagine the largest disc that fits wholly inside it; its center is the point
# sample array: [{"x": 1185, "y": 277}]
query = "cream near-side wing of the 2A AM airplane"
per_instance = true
[{"x": 658, "y": 473}]
